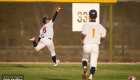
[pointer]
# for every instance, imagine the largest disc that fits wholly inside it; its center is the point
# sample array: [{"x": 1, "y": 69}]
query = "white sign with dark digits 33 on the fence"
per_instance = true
[{"x": 80, "y": 14}]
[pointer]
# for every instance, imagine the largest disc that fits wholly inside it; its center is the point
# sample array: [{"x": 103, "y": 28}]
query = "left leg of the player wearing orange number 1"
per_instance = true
[{"x": 85, "y": 58}]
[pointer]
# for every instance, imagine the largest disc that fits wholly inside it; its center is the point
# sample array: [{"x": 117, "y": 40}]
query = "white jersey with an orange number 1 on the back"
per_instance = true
[{"x": 93, "y": 31}]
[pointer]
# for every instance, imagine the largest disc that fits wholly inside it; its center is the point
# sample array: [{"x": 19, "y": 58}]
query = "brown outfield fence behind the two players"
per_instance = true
[{"x": 19, "y": 21}]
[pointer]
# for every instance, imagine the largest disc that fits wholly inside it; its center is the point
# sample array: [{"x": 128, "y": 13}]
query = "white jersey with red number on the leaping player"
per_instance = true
[{"x": 47, "y": 30}]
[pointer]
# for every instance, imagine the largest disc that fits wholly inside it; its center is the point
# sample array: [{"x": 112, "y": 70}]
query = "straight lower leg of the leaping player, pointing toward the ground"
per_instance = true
[{"x": 50, "y": 45}]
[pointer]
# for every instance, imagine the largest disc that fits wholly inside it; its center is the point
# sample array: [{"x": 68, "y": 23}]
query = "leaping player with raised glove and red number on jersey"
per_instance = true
[{"x": 46, "y": 36}]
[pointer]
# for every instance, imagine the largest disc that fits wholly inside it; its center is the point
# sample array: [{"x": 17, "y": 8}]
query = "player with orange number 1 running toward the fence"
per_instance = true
[{"x": 92, "y": 34}]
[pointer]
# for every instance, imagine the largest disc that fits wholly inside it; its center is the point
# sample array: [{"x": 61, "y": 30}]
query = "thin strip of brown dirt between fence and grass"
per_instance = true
[{"x": 64, "y": 63}]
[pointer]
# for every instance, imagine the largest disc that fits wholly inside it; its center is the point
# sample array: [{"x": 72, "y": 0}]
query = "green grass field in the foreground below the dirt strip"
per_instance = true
[{"x": 70, "y": 71}]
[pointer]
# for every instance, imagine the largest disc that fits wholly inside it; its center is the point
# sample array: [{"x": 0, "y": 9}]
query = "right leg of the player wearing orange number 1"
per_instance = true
[{"x": 93, "y": 61}]
